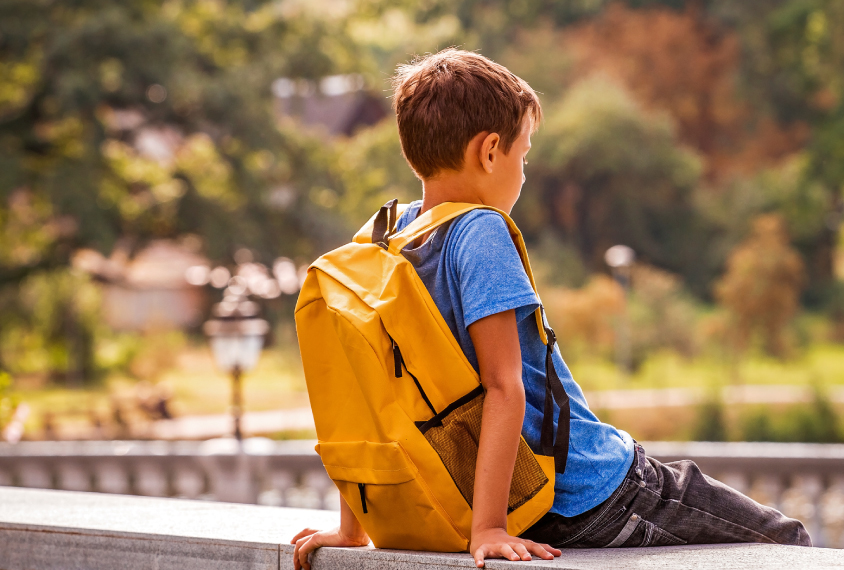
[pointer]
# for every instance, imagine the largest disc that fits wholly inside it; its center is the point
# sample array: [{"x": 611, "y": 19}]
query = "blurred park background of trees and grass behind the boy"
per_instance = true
[{"x": 158, "y": 157}]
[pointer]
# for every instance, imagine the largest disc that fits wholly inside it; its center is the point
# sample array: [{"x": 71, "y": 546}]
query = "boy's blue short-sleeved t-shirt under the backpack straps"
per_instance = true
[{"x": 472, "y": 269}]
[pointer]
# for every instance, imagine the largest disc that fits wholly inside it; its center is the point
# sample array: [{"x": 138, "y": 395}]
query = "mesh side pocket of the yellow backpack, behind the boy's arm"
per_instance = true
[{"x": 454, "y": 435}]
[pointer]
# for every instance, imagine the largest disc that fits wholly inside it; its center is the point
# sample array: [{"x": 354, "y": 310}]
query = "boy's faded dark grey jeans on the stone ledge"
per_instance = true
[{"x": 665, "y": 505}]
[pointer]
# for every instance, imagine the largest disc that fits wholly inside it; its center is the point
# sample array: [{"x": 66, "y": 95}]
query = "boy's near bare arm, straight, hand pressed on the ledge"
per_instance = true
[{"x": 496, "y": 343}]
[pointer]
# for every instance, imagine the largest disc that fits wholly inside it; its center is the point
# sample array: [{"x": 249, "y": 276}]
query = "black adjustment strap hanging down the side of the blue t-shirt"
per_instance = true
[{"x": 554, "y": 391}]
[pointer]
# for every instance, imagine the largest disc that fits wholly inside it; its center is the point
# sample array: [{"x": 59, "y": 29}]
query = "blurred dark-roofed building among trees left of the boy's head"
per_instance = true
[{"x": 340, "y": 104}]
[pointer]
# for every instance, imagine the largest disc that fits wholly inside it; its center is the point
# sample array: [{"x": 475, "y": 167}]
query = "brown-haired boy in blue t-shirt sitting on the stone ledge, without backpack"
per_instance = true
[{"x": 465, "y": 124}]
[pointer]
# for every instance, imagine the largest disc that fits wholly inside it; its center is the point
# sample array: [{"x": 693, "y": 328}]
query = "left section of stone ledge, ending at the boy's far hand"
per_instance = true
[{"x": 55, "y": 530}]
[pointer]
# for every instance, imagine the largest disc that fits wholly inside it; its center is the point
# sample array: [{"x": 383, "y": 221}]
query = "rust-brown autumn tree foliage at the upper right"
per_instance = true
[{"x": 685, "y": 64}]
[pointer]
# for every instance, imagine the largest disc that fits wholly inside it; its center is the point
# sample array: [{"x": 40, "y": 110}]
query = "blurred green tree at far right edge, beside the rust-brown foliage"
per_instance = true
[{"x": 793, "y": 65}]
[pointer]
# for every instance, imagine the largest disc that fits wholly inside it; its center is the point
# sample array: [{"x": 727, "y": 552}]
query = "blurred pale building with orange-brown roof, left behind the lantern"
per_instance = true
[{"x": 148, "y": 291}]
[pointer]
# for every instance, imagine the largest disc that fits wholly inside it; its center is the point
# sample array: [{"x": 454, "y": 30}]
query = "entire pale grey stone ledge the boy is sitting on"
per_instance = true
[{"x": 52, "y": 530}]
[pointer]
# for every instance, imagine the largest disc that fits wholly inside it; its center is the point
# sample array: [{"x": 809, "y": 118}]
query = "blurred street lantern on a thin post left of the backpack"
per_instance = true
[{"x": 237, "y": 337}]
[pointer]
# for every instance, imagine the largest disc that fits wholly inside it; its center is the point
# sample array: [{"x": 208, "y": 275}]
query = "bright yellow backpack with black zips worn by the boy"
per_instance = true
[{"x": 397, "y": 405}]
